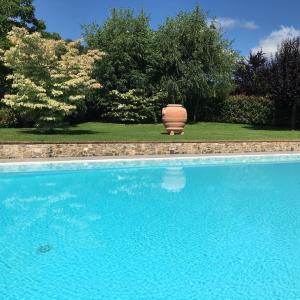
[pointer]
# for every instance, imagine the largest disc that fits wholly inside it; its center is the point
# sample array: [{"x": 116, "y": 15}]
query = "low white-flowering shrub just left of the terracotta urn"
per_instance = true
[{"x": 131, "y": 107}]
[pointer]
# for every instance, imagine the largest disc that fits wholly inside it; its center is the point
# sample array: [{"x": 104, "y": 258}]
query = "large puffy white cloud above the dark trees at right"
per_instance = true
[{"x": 270, "y": 44}]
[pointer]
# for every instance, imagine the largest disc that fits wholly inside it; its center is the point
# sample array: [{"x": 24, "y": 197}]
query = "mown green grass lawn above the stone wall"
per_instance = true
[{"x": 118, "y": 132}]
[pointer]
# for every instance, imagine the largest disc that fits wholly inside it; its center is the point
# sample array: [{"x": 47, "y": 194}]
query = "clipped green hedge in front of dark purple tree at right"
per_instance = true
[{"x": 247, "y": 110}]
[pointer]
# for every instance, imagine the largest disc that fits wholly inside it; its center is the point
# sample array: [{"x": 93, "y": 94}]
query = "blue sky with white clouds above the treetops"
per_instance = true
[{"x": 249, "y": 24}]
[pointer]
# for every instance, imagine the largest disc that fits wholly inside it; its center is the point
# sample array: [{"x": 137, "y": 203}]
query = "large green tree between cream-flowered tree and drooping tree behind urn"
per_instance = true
[{"x": 129, "y": 62}]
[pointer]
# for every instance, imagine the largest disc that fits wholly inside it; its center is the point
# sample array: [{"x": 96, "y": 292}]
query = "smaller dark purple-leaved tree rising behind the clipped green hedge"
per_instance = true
[{"x": 252, "y": 75}]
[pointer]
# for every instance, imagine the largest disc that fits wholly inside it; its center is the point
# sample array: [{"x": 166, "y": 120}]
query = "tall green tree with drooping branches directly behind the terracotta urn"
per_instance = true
[{"x": 195, "y": 61}]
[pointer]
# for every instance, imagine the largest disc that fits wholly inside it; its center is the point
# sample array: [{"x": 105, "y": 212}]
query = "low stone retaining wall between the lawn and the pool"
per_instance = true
[{"x": 47, "y": 150}]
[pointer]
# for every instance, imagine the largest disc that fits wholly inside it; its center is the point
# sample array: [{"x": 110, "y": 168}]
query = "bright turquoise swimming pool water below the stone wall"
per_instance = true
[{"x": 216, "y": 228}]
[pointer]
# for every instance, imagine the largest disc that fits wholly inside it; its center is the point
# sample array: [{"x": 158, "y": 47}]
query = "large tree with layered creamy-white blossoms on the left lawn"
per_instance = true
[{"x": 50, "y": 77}]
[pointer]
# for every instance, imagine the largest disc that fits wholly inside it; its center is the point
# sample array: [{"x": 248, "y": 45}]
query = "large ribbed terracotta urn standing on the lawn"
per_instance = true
[{"x": 174, "y": 117}]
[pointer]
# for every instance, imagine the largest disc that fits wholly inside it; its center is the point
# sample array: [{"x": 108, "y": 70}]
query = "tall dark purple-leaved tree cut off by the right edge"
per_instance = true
[{"x": 285, "y": 80}]
